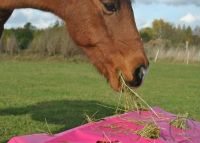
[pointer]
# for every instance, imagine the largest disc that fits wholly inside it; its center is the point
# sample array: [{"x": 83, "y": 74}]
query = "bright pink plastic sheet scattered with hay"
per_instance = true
[{"x": 121, "y": 129}]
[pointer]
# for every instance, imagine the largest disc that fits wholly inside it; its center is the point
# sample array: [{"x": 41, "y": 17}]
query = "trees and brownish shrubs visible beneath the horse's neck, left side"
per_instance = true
[{"x": 51, "y": 41}]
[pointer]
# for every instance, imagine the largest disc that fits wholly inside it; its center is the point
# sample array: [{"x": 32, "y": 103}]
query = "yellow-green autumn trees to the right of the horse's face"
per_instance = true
[{"x": 175, "y": 36}]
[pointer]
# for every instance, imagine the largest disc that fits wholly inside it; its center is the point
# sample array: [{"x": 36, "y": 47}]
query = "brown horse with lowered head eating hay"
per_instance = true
[{"x": 104, "y": 29}]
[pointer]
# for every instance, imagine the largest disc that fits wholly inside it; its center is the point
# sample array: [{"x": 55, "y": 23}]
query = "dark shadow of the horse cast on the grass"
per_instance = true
[{"x": 67, "y": 113}]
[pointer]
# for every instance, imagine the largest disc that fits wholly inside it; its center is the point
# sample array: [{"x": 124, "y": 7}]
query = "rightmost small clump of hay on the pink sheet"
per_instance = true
[{"x": 180, "y": 122}]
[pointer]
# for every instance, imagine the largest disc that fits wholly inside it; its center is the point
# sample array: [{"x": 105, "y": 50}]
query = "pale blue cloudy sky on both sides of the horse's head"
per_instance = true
[{"x": 174, "y": 11}]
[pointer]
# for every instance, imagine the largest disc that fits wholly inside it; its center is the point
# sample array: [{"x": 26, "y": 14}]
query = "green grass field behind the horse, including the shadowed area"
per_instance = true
[{"x": 53, "y": 96}]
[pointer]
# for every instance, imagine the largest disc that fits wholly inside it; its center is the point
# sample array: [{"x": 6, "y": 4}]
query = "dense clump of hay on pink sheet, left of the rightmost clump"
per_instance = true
[{"x": 150, "y": 130}]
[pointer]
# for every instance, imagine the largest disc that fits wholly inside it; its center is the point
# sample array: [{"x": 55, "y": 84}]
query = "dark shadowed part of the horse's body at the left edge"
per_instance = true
[{"x": 4, "y": 15}]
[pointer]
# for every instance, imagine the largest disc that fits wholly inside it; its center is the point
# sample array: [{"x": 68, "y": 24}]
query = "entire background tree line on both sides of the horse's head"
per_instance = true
[{"x": 56, "y": 41}]
